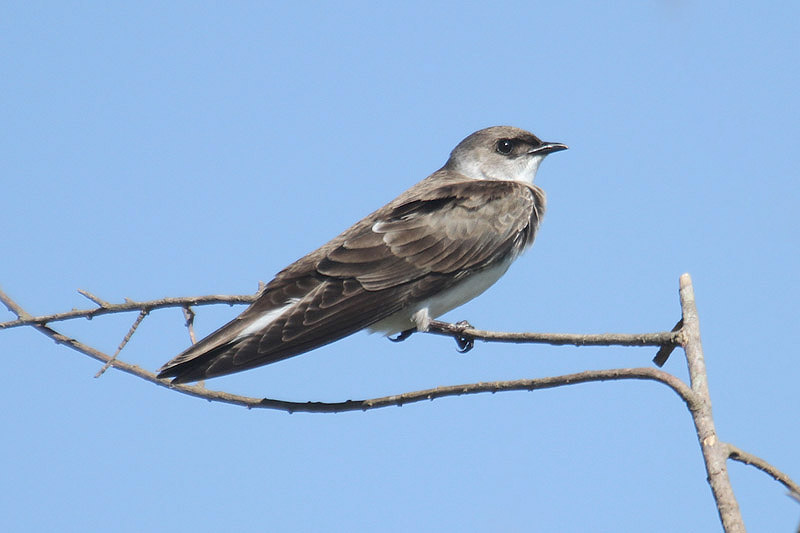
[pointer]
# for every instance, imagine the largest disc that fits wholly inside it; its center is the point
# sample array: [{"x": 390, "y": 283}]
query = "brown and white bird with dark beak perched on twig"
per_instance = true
[{"x": 436, "y": 246}]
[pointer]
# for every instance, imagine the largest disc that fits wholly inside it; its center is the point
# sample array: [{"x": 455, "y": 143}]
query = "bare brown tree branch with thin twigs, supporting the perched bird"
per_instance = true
[{"x": 686, "y": 334}]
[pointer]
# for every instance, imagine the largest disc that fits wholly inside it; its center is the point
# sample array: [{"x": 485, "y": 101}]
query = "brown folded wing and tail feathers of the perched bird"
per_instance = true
[{"x": 424, "y": 242}]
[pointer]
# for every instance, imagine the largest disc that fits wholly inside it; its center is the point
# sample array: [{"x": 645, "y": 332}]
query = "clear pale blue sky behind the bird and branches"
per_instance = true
[{"x": 151, "y": 150}]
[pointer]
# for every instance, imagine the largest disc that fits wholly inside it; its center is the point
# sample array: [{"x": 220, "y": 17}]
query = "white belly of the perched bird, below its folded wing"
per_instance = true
[{"x": 443, "y": 302}]
